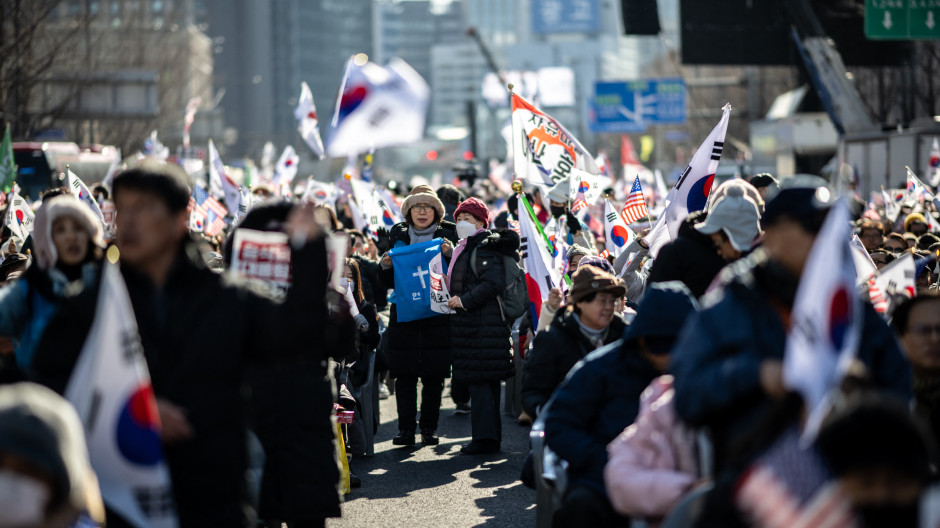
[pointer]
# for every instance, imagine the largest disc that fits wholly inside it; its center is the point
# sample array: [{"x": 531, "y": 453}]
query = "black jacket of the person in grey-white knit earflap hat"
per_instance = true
[{"x": 690, "y": 258}]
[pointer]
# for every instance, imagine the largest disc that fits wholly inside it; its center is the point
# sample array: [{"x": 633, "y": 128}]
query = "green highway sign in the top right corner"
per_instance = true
[{"x": 902, "y": 19}]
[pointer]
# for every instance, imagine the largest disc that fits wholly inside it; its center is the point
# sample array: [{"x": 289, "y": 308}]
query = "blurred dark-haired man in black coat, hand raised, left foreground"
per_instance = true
[{"x": 199, "y": 333}]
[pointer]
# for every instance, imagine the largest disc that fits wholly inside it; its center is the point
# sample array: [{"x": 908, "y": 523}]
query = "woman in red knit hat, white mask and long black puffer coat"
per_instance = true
[{"x": 481, "y": 338}]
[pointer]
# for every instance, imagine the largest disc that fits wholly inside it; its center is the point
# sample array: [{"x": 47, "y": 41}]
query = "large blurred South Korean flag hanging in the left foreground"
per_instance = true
[{"x": 110, "y": 388}]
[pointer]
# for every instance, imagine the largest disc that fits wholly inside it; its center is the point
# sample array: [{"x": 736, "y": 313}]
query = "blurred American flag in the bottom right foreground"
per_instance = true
[{"x": 788, "y": 487}]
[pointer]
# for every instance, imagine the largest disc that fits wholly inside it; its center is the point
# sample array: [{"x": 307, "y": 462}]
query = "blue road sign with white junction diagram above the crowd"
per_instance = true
[{"x": 630, "y": 106}]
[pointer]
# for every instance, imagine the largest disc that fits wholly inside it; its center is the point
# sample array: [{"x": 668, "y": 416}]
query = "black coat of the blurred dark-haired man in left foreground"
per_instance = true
[{"x": 199, "y": 332}]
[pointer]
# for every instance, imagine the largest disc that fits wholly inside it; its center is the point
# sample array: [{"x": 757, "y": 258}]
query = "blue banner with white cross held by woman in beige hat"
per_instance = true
[{"x": 412, "y": 296}]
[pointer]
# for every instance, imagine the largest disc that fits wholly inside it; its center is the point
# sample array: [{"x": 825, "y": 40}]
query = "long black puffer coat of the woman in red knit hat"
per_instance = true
[{"x": 481, "y": 339}]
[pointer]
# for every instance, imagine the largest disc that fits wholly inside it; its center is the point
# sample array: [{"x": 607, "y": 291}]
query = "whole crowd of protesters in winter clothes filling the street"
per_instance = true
[{"x": 634, "y": 365}]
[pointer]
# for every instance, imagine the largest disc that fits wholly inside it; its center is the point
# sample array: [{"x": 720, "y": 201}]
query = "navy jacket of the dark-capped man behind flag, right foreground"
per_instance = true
[{"x": 716, "y": 360}]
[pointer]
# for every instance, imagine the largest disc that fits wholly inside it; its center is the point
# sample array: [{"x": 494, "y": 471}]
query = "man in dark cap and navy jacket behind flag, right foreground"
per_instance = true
[{"x": 728, "y": 361}]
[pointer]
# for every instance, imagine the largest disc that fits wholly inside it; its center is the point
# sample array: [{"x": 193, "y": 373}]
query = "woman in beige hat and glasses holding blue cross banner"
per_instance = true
[{"x": 421, "y": 348}]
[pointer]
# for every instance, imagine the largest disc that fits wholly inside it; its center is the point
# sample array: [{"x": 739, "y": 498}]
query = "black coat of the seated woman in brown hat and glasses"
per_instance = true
[{"x": 554, "y": 352}]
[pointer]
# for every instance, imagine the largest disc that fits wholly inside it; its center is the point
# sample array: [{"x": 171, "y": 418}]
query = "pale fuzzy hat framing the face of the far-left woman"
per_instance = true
[{"x": 48, "y": 213}]
